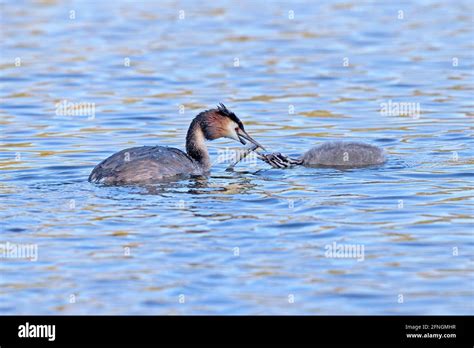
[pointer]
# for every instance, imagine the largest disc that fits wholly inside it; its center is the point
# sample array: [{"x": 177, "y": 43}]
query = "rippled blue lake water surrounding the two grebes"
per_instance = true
[{"x": 255, "y": 240}]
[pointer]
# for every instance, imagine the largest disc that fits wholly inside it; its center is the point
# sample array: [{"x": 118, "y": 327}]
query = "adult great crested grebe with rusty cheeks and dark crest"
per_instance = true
[{"x": 147, "y": 164}]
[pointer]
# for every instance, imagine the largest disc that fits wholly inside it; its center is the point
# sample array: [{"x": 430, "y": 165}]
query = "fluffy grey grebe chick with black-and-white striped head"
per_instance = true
[{"x": 331, "y": 154}]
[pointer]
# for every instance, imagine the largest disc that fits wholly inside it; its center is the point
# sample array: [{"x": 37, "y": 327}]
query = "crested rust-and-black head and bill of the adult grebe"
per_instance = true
[{"x": 223, "y": 123}]
